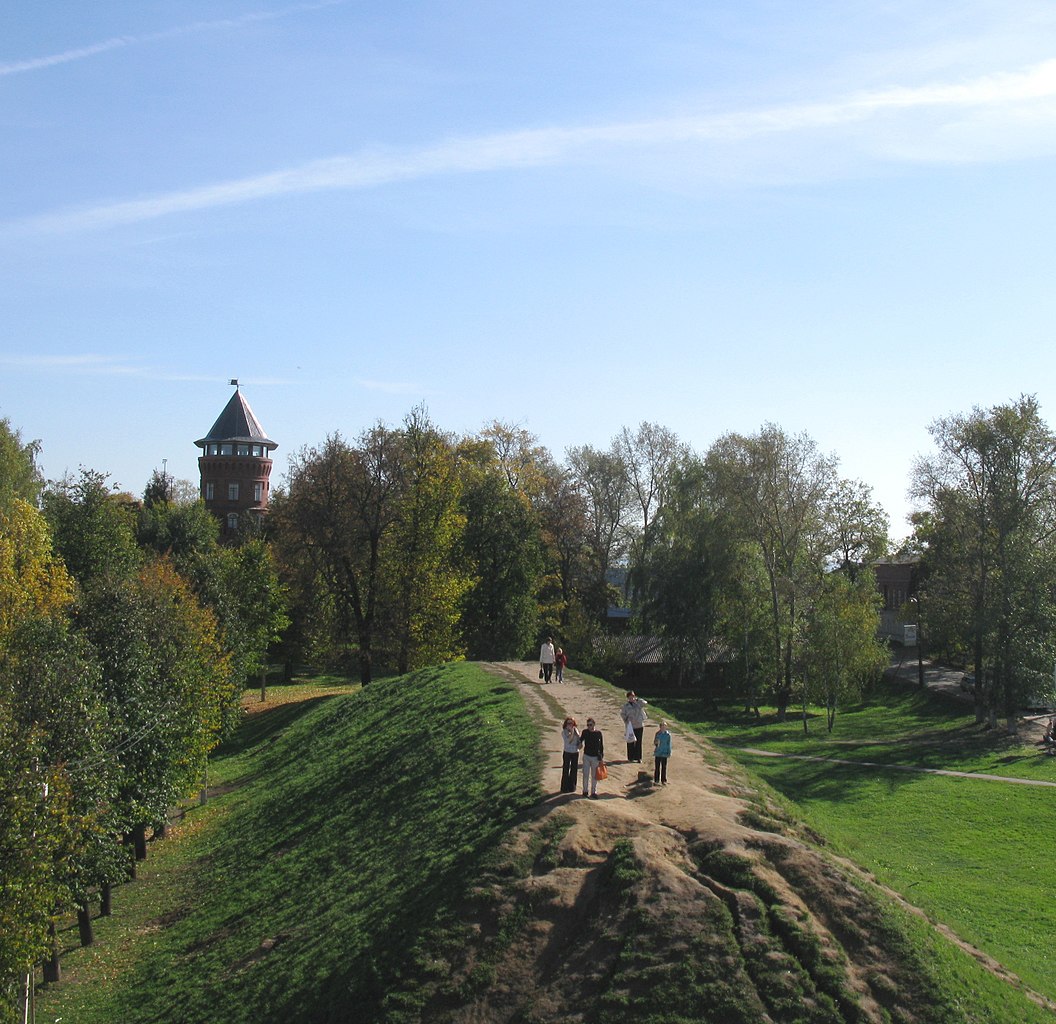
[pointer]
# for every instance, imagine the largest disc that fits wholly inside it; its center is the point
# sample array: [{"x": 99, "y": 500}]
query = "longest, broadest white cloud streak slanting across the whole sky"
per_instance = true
[{"x": 1008, "y": 91}]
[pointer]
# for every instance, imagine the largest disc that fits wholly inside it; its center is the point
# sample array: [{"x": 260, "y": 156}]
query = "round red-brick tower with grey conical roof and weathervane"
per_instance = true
[{"x": 236, "y": 464}]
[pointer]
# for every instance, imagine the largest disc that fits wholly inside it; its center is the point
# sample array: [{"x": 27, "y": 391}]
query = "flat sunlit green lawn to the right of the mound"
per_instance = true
[{"x": 974, "y": 855}]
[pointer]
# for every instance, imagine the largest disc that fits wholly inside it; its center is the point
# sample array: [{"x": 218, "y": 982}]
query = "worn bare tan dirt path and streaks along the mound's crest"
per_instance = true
[{"x": 709, "y": 805}]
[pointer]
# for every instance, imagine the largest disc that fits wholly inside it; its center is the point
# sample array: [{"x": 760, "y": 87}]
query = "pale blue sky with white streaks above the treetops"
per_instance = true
[{"x": 571, "y": 217}]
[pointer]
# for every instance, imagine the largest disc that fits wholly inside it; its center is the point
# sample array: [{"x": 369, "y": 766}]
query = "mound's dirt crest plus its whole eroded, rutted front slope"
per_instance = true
[{"x": 701, "y": 896}]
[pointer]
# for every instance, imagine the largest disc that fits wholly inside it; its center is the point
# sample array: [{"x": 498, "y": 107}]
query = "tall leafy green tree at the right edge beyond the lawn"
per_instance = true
[{"x": 990, "y": 565}]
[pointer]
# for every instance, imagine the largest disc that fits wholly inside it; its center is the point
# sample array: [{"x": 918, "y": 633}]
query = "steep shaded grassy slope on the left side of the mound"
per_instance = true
[{"x": 348, "y": 828}]
